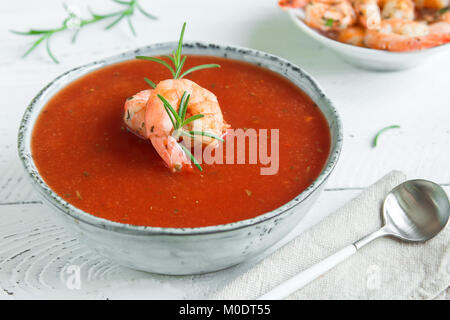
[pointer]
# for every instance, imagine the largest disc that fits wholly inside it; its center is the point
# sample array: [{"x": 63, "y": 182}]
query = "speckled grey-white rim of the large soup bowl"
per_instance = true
[{"x": 27, "y": 126}]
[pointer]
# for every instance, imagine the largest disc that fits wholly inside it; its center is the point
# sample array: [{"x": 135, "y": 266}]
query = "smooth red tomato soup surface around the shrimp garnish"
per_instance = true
[{"x": 85, "y": 154}]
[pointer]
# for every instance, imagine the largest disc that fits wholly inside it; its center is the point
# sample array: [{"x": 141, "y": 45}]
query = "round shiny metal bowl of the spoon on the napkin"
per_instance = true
[{"x": 416, "y": 210}]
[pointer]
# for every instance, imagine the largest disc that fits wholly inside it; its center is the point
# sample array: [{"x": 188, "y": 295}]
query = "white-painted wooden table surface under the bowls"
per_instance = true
[{"x": 35, "y": 252}]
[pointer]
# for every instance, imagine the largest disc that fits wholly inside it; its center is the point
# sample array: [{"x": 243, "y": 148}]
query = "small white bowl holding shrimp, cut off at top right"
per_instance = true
[{"x": 366, "y": 58}]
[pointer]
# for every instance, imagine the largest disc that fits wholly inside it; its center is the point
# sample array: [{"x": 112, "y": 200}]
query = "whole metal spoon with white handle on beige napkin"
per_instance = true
[{"x": 416, "y": 210}]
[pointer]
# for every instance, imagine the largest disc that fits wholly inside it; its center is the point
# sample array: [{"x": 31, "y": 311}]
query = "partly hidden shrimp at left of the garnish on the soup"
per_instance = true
[{"x": 134, "y": 115}]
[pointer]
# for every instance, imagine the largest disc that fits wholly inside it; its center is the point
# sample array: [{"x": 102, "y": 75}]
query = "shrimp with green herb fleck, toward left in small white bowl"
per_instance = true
[{"x": 324, "y": 16}]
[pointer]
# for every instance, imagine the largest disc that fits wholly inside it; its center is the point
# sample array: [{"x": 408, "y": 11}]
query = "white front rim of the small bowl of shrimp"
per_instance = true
[{"x": 362, "y": 50}]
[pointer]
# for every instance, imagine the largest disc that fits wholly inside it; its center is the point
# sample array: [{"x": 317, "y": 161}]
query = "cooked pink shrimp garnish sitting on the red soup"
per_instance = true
[{"x": 146, "y": 117}]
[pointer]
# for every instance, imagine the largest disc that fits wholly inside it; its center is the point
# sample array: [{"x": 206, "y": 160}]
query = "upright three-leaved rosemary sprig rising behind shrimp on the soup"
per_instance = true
[{"x": 177, "y": 60}]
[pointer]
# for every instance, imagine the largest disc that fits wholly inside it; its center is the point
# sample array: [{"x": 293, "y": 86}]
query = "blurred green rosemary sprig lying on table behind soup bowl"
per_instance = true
[{"x": 73, "y": 21}]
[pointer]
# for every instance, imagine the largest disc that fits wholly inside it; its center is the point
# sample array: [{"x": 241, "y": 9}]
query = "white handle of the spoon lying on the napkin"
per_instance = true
[{"x": 300, "y": 280}]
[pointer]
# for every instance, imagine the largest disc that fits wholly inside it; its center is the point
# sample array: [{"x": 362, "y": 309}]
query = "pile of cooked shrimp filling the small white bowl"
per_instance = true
[{"x": 392, "y": 25}]
